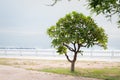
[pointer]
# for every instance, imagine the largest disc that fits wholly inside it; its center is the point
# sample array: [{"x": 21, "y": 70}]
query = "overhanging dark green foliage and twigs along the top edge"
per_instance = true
[{"x": 106, "y": 7}]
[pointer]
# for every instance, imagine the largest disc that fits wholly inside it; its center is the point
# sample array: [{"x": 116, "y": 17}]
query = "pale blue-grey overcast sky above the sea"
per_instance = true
[{"x": 23, "y": 23}]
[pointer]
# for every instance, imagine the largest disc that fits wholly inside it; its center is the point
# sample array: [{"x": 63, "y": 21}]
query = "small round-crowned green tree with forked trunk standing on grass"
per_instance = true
[{"x": 75, "y": 31}]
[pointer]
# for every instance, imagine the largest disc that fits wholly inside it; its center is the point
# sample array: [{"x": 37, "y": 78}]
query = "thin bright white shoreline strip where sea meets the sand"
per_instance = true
[{"x": 64, "y": 58}]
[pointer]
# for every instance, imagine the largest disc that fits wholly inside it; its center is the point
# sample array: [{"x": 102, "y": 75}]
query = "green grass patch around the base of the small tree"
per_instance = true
[{"x": 105, "y": 73}]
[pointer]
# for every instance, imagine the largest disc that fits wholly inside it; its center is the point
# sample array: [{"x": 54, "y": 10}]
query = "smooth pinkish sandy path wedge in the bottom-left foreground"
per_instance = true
[{"x": 12, "y": 73}]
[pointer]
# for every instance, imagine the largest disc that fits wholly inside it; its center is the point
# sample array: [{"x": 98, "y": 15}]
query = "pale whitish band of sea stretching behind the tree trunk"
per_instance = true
[{"x": 51, "y": 54}]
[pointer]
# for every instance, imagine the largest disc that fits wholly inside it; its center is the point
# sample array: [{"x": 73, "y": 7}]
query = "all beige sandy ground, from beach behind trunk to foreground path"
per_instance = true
[{"x": 18, "y": 69}]
